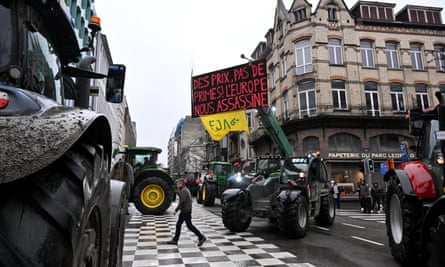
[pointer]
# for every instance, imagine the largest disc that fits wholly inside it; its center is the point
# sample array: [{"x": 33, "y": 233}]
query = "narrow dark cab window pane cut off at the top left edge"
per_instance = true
[{"x": 5, "y": 36}]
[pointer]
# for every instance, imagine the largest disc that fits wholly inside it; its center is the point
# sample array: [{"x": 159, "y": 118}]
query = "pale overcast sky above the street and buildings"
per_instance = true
[{"x": 162, "y": 41}]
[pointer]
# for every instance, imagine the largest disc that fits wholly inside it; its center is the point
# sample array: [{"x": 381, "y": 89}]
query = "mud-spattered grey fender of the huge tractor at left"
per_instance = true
[{"x": 33, "y": 139}]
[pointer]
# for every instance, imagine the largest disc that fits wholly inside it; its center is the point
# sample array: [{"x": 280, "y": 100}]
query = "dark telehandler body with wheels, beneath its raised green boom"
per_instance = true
[{"x": 289, "y": 197}]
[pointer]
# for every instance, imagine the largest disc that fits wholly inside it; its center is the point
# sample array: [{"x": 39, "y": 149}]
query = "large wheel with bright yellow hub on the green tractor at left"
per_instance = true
[{"x": 153, "y": 195}]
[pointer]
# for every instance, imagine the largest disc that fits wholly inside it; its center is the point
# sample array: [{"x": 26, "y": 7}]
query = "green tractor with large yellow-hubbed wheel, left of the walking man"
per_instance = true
[{"x": 152, "y": 189}]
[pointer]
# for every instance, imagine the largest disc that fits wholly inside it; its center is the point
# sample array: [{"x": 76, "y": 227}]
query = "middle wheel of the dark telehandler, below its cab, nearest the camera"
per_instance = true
[{"x": 293, "y": 218}]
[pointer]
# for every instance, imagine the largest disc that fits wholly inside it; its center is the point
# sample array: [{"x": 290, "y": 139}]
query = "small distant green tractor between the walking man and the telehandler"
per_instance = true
[{"x": 214, "y": 183}]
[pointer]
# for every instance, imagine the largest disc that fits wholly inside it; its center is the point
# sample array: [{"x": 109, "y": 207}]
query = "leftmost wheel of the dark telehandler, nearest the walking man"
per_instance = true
[{"x": 235, "y": 218}]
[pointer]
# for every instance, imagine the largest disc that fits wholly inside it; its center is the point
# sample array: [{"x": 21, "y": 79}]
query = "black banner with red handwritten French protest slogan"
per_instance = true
[{"x": 240, "y": 87}]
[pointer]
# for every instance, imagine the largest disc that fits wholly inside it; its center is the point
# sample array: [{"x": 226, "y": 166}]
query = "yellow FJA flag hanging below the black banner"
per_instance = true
[{"x": 220, "y": 124}]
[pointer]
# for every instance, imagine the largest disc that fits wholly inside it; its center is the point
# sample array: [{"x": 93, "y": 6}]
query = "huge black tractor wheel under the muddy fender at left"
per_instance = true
[{"x": 58, "y": 215}]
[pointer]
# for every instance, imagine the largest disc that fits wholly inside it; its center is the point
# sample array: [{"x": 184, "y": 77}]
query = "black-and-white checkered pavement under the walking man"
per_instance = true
[{"x": 146, "y": 237}]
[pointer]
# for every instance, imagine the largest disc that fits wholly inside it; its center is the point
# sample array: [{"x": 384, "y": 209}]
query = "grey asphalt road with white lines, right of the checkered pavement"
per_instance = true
[{"x": 354, "y": 240}]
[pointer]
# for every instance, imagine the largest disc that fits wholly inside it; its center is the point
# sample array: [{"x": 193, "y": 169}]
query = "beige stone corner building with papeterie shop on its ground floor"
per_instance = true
[{"x": 342, "y": 80}]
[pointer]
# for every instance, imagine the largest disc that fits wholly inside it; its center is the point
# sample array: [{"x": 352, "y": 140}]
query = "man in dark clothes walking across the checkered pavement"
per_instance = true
[{"x": 185, "y": 206}]
